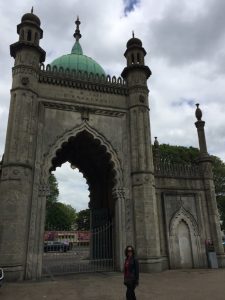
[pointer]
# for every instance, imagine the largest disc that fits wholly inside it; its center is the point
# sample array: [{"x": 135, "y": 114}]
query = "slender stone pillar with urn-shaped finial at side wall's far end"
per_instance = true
[{"x": 205, "y": 162}]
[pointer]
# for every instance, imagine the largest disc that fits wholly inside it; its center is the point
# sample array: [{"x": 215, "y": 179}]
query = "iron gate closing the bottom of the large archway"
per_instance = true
[{"x": 78, "y": 251}]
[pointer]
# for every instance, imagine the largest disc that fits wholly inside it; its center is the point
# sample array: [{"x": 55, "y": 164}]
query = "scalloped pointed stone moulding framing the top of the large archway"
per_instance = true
[{"x": 57, "y": 144}]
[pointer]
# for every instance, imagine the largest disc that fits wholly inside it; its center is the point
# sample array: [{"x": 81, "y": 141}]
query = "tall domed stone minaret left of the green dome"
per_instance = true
[{"x": 19, "y": 157}]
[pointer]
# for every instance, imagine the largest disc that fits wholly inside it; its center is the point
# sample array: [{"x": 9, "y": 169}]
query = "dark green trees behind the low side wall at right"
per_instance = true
[{"x": 188, "y": 155}]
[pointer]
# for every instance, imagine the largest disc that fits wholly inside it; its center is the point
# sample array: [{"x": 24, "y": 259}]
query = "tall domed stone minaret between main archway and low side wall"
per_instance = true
[{"x": 143, "y": 186}]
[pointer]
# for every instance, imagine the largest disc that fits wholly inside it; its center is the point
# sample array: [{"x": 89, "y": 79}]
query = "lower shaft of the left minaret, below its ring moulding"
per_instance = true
[{"x": 14, "y": 209}]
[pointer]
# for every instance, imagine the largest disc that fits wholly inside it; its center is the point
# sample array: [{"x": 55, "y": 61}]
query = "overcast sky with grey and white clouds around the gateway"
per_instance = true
[{"x": 185, "y": 44}]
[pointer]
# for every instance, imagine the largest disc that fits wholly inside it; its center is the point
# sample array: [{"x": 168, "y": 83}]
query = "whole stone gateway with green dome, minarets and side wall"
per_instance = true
[{"x": 71, "y": 111}]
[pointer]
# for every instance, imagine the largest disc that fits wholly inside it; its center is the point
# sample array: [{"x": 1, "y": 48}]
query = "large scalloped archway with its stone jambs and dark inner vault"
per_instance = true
[{"x": 86, "y": 149}]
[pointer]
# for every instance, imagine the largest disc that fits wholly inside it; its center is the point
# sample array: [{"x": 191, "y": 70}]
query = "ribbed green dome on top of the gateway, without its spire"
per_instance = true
[{"x": 77, "y": 61}]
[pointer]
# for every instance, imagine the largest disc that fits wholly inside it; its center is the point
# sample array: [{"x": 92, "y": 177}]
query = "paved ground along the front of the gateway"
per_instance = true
[{"x": 170, "y": 285}]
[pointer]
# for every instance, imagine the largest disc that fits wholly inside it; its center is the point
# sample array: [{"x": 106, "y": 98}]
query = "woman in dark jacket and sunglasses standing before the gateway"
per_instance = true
[{"x": 131, "y": 272}]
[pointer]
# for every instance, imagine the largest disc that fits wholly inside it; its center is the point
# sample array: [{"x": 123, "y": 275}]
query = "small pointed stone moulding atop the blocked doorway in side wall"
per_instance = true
[{"x": 183, "y": 215}]
